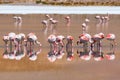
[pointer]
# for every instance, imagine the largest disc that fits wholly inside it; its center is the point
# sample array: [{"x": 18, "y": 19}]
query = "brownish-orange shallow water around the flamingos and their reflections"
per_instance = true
[{"x": 77, "y": 69}]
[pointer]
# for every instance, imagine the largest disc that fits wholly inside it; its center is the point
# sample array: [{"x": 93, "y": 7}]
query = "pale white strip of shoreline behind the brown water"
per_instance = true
[{"x": 38, "y": 9}]
